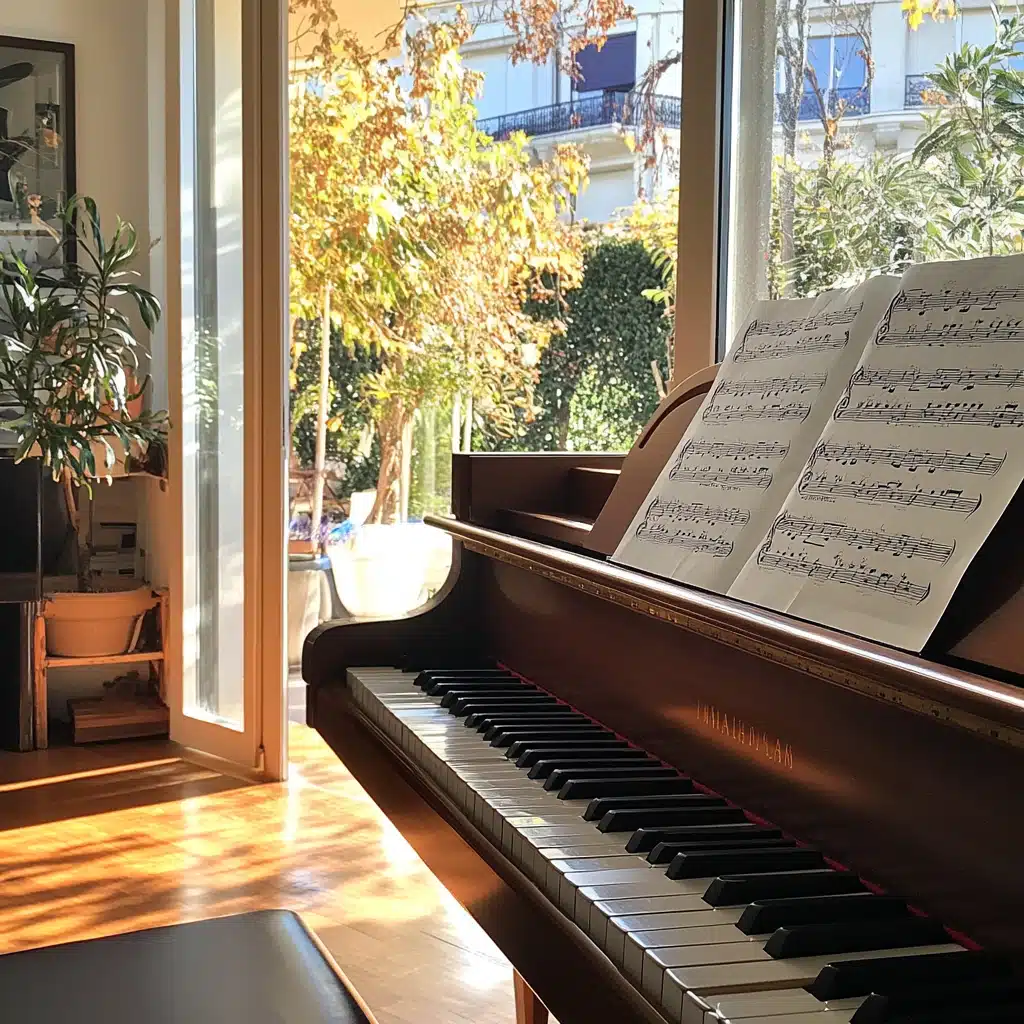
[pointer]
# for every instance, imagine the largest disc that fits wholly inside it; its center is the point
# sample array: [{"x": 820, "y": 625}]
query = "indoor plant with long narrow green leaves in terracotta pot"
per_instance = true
[{"x": 69, "y": 360}]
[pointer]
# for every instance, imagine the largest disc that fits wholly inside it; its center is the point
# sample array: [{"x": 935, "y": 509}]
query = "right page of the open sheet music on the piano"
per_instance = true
[{"x": 918, "y": 462}]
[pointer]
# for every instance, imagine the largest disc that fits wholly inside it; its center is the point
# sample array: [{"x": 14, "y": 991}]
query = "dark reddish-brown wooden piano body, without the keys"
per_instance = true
[{"x": 908, "y": 770}]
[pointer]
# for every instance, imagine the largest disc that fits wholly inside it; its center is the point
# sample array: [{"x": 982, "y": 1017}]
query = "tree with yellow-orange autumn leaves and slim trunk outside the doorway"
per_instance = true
[{"x": 430, "y": 235}]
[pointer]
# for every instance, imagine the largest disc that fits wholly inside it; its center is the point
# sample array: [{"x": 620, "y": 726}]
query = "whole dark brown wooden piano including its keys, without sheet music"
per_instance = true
[{"x": 665, "y": 805}]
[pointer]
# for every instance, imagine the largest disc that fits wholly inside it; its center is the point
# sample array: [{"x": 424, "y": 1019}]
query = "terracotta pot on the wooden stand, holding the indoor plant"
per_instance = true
[{"x": 97, "y": 624}]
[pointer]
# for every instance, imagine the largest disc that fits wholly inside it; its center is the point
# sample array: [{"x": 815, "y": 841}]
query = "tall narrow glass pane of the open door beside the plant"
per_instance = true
[{"x": 214, "y": 365}]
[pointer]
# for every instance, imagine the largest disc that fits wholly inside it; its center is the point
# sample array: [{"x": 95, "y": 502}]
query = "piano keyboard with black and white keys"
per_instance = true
[{"x": 714, "y": 918}]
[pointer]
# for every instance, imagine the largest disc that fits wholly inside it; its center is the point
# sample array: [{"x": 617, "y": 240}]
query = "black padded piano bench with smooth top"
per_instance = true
[{"x": 260, "y": 968}]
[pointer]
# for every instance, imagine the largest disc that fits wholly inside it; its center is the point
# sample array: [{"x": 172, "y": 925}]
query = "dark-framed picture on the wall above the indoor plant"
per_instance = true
[{"x": 37, "y": 149}]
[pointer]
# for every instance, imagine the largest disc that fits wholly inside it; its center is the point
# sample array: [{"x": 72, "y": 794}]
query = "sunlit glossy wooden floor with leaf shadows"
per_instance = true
[{"x": 100, "y": 840}]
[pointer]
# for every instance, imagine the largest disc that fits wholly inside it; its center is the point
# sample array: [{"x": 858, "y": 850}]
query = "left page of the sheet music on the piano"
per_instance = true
[{"x": 716, "y": 499}]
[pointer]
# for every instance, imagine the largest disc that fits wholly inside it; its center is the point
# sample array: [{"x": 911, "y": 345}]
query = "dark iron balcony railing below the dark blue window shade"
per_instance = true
[{"x": 582, "y": 112}]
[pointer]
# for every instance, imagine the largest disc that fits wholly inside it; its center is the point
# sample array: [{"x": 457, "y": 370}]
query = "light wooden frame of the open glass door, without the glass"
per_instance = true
[{"x": 264, "y": 746}]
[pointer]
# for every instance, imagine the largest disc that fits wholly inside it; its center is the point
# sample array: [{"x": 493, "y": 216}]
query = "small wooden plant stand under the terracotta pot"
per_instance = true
[{"x": 119, "y": 716}]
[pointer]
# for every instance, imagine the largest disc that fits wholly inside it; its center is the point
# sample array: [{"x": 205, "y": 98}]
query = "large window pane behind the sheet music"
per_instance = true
[{"x": 856, "y": 173}]
